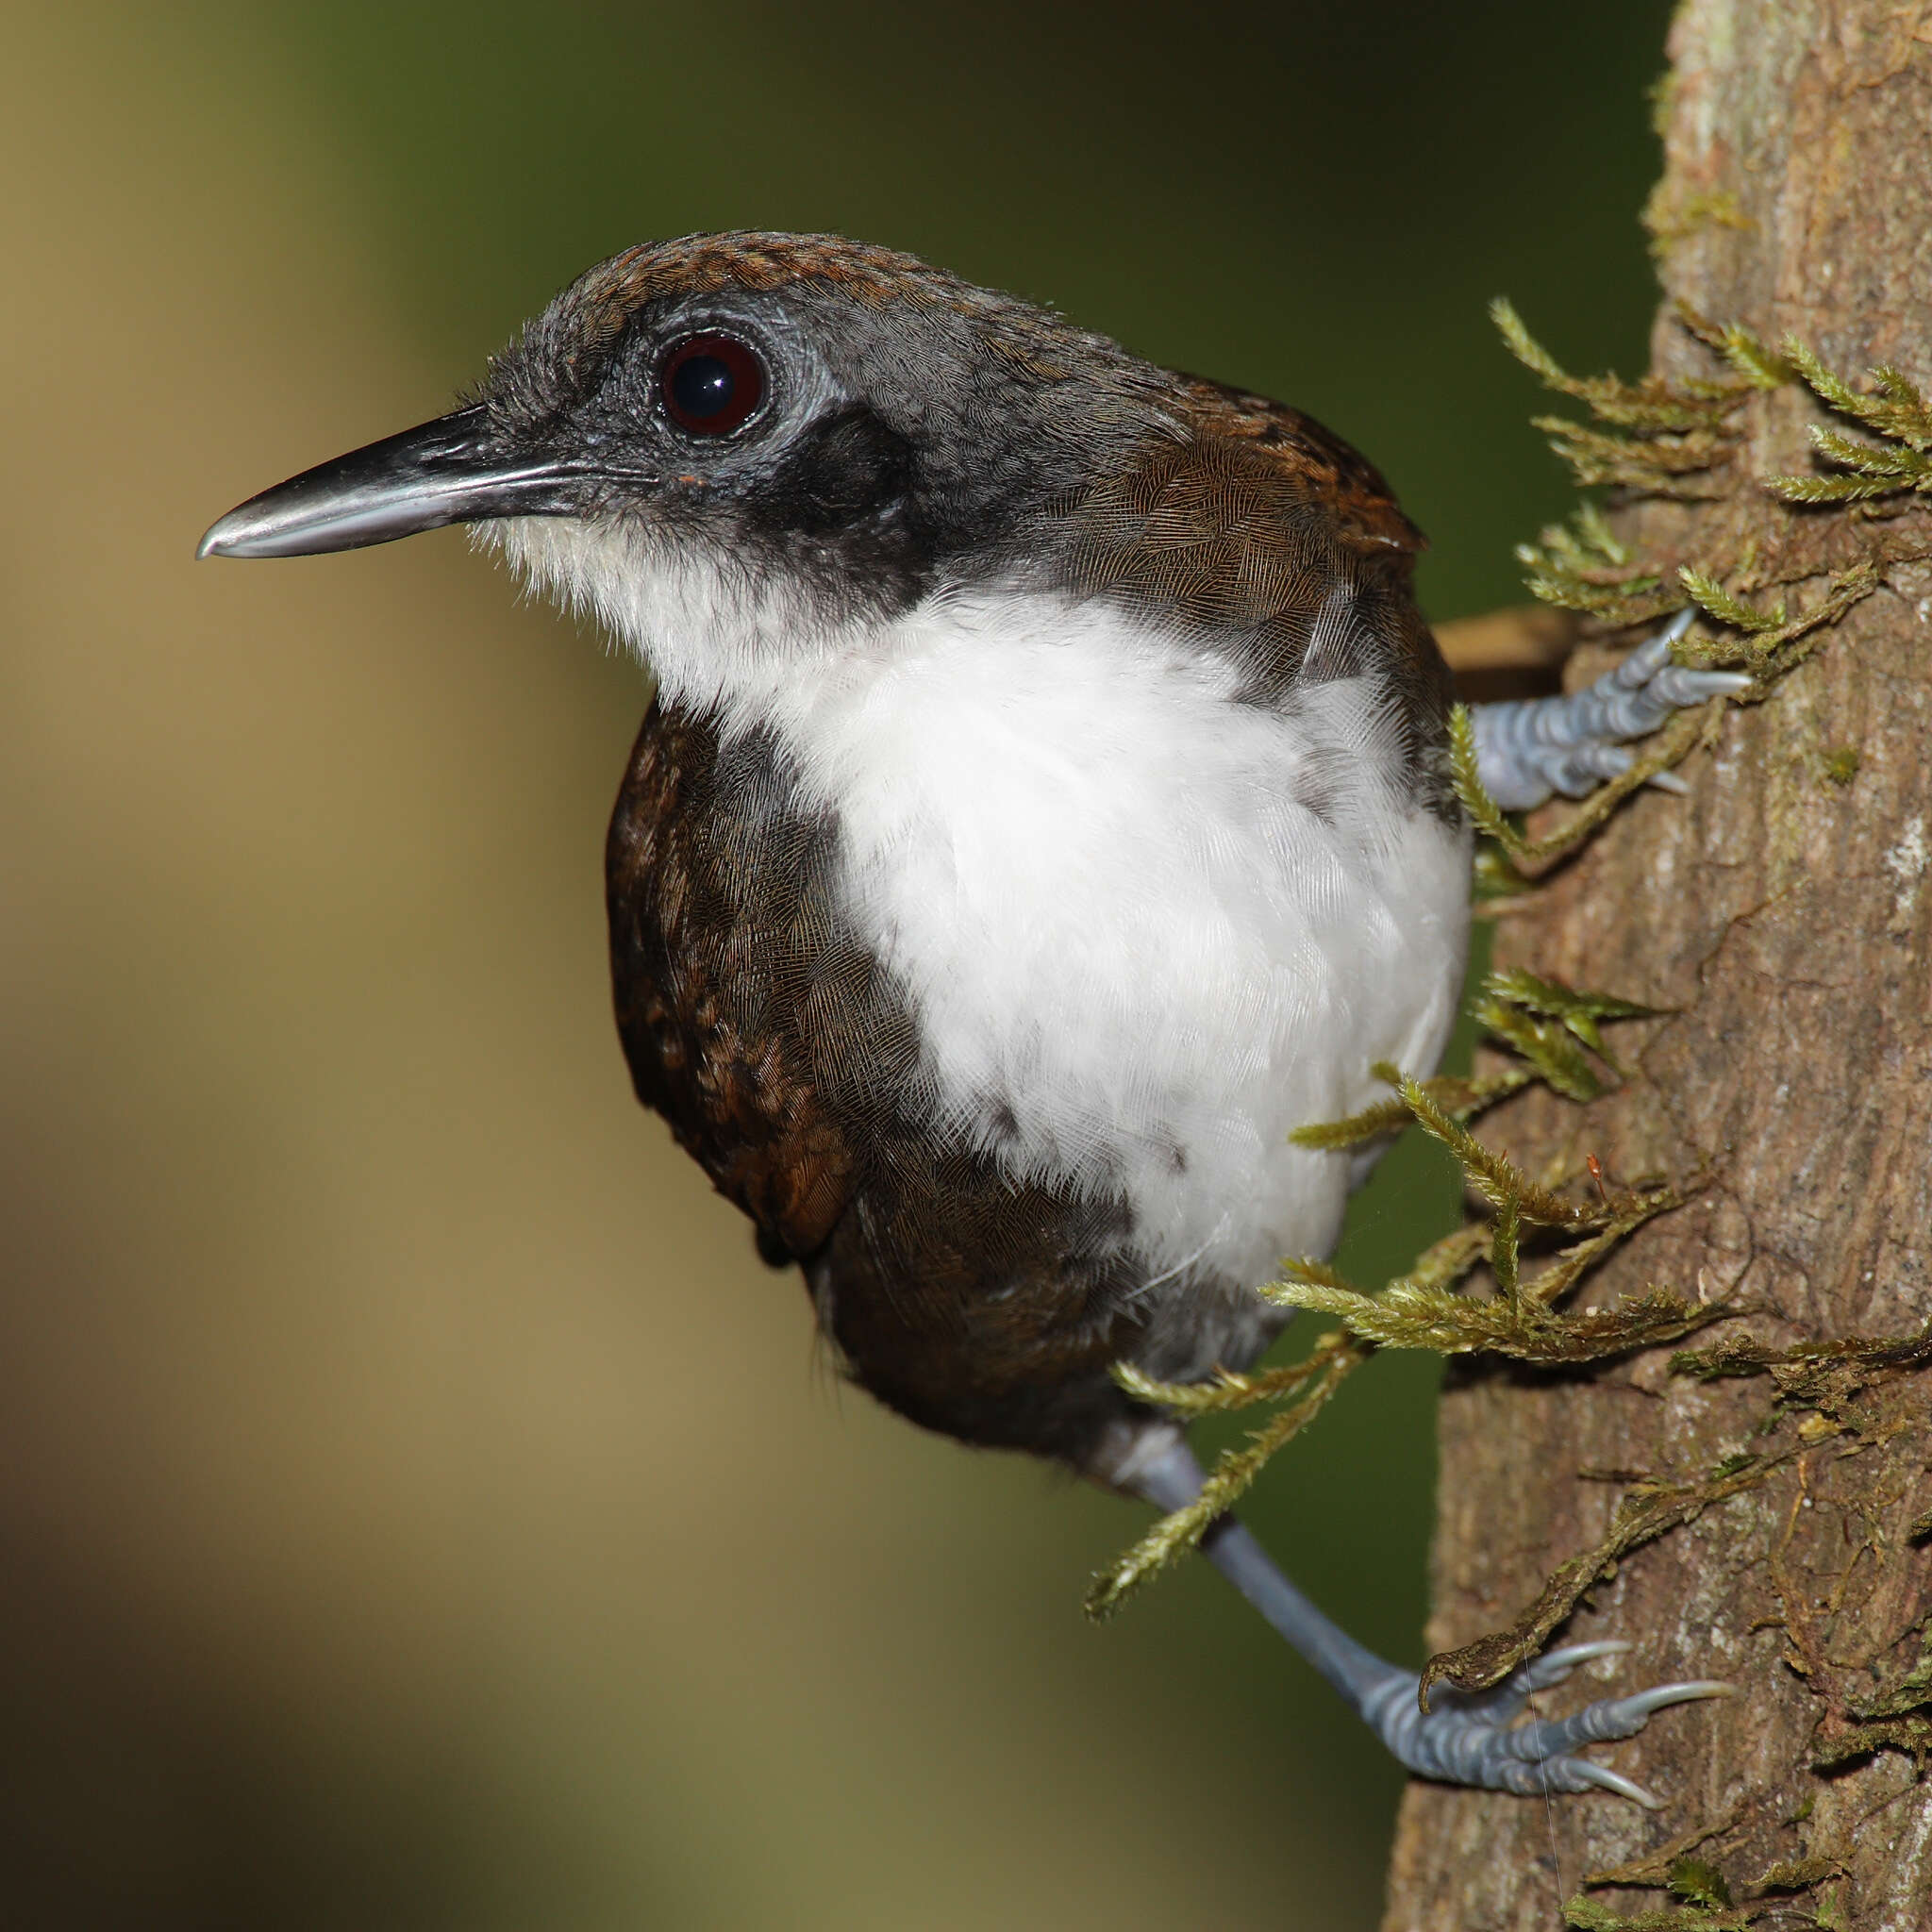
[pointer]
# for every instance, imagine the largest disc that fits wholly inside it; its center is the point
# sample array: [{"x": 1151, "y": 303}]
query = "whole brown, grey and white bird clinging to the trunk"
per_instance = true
[{"x": 1044, "y": 810}]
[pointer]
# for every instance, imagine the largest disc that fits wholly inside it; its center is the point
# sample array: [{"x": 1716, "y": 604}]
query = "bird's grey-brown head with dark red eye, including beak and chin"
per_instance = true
[{"x": 754, "y": 436}]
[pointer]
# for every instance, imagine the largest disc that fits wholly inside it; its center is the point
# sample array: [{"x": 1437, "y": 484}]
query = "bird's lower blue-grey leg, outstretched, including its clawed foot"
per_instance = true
[{"x": 1463, "y": 1740}]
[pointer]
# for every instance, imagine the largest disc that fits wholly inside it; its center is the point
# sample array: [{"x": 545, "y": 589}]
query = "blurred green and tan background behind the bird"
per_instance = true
[{"x": 416, "y": 1504}]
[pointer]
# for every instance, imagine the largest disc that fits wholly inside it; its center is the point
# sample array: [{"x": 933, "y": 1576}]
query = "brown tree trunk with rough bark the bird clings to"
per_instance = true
[{"x": 1786, "y": 917}]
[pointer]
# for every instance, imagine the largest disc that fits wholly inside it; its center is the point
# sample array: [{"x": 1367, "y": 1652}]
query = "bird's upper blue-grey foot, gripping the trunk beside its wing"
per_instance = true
[{"x": 1535, "y": 747}]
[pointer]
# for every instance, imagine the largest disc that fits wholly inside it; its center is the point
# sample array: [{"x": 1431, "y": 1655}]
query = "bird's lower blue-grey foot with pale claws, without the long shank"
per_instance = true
[{"x": 1473, "y": 1738}]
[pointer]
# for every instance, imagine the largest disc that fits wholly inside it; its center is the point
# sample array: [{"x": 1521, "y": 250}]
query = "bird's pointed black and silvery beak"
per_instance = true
[{"x": 443, "y": 472}]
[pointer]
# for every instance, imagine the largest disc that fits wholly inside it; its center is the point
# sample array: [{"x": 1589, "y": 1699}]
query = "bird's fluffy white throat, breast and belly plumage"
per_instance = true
[{"x": 1137, "y": 957}]
